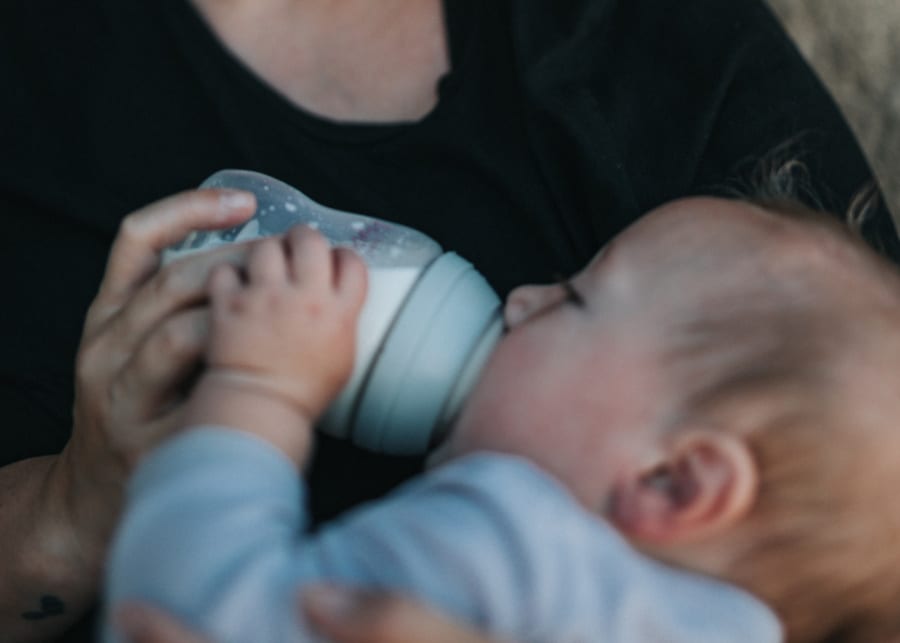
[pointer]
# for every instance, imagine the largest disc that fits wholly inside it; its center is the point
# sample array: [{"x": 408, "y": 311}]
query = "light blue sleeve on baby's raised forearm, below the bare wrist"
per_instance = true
[{"x": 207, "y": 534}]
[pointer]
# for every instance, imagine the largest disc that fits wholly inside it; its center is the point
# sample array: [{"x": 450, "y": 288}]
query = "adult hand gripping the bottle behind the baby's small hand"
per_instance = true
[{"x": 143, "y": 335}]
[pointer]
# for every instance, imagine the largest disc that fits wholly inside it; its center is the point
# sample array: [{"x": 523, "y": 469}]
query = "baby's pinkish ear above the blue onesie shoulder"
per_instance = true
[{"x": 702, "y": 484}]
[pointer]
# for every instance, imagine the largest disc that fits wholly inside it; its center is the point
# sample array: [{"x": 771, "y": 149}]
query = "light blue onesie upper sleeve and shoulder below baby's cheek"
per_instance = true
[{"x": 495, "y": 542}]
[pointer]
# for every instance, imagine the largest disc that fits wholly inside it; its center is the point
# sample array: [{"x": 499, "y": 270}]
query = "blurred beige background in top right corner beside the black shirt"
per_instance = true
[{"x": 854, "y": 45}]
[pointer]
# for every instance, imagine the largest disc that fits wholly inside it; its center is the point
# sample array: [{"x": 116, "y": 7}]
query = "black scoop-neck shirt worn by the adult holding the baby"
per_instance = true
[{"x": 559, "y": 124}]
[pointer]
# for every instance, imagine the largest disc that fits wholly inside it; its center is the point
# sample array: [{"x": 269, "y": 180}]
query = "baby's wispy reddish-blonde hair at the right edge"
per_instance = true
[{"x": 811, "y": 334}]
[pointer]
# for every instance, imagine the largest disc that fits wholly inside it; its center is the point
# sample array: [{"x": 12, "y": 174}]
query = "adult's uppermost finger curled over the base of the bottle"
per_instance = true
[{"x": 145, "y": 233}]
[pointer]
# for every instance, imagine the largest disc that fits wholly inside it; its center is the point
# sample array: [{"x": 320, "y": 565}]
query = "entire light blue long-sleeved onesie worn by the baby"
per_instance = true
[{"x": 215, "y": 532}]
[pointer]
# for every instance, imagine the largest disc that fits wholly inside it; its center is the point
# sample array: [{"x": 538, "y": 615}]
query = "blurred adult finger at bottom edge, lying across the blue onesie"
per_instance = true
[{"x": 358, "y": 616}]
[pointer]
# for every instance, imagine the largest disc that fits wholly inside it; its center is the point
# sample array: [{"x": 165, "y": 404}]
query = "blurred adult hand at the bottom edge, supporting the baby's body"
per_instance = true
[{"x": 340, "y": 615}]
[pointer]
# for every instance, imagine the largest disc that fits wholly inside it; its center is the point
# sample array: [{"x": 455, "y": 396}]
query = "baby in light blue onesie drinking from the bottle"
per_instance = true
[{"x": 691, "y": 440}]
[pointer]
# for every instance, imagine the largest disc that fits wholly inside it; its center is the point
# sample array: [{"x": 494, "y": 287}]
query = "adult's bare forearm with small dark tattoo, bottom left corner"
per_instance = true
[{"x": 50, "y": 571}]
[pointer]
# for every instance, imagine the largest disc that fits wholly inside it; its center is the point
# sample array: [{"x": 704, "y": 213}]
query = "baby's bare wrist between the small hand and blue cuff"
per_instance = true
[{"x": 223, "y": 399}]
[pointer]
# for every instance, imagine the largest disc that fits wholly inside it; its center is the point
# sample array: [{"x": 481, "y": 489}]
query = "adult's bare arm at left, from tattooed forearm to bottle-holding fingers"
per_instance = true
[{"x": 143, "y": 334}]
